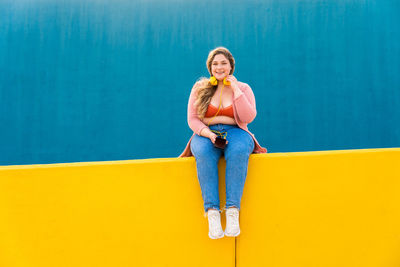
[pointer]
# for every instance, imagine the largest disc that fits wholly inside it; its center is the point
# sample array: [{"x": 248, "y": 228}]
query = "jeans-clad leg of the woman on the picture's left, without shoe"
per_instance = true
[{"x": 207, "y": 157}]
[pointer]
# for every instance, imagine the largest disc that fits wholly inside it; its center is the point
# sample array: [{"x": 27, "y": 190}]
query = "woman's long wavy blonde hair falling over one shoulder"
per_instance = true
[{"x": 205, "y": 90}]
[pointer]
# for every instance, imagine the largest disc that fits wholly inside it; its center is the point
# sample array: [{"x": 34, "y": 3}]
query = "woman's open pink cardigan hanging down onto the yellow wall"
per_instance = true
[{"x": 244, "y": 110}]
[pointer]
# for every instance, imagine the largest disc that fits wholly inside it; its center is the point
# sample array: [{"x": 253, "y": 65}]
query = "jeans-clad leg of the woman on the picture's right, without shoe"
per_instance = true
[{"x": 237, "y": 154}]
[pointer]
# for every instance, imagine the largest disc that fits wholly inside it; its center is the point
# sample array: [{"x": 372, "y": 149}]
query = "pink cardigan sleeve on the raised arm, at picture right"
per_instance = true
[{"x": 245, "y": 104}]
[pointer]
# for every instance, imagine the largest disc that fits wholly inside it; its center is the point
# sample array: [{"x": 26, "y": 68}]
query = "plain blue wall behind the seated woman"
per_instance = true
[{"x": 110, "y": 80}]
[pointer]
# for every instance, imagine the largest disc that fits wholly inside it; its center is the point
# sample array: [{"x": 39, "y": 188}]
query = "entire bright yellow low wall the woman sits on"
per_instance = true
[{"x": 334, "y": 208}]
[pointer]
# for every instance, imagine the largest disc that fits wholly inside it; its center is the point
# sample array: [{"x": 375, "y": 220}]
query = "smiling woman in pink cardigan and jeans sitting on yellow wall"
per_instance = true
[{"x": 220, "y": 108}]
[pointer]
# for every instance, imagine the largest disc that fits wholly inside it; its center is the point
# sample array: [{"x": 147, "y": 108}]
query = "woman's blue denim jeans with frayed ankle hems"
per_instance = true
[{"x": 236, "y": 152}]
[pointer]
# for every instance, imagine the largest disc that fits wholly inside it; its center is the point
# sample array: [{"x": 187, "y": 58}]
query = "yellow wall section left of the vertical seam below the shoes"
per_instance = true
[{"x": 127, "y": 213}]
